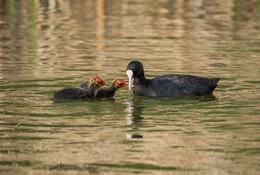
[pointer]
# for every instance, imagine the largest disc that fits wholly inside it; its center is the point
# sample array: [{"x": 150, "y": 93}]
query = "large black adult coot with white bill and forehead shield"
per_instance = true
[{"x": 171, "y": 85}]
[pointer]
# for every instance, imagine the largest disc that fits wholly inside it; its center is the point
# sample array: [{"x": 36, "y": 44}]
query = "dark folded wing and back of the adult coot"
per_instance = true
[{"x": 182, "y": 85}]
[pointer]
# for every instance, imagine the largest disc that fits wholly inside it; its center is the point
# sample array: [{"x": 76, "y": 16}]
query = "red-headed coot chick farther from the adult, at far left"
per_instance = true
[{"x": 86, "y": 91}]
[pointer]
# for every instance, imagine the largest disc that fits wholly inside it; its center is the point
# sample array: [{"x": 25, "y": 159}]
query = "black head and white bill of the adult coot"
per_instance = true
[{"x": 134, "y": 70}]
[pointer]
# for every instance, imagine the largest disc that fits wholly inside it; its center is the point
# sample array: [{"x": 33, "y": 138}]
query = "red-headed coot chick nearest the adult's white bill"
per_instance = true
[{"x": 110, "y": 90}]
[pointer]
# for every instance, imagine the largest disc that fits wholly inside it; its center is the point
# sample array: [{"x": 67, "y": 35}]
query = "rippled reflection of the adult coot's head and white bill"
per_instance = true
[{"x": 134, "y": 119}]
